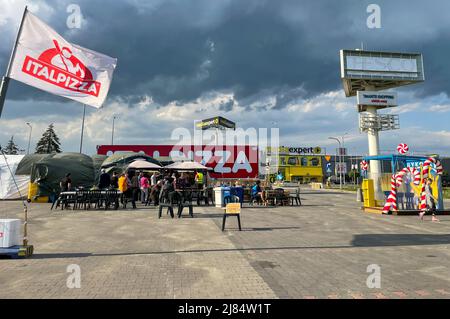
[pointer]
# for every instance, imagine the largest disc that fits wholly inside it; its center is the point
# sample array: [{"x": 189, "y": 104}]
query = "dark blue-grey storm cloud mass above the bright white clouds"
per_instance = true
[{"x": 179, "y": 50}]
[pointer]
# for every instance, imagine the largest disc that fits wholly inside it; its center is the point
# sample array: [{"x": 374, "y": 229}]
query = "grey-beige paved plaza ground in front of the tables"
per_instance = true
[{"x": 319, "y": 250}]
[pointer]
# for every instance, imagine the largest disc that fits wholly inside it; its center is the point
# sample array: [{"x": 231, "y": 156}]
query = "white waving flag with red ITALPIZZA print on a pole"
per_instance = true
[{"x": 45, "y": 60}]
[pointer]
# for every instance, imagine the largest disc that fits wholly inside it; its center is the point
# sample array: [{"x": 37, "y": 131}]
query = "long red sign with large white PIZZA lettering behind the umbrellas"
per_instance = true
[{"x": 236, "y": 161}]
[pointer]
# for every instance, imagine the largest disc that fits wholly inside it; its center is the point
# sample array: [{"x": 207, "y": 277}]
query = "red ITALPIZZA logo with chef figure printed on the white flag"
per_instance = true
[{"x": 60, "y": 67}]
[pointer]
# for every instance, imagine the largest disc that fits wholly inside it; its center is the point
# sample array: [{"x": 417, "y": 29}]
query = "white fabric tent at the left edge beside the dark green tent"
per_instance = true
[{"x": 8, "y": 189}]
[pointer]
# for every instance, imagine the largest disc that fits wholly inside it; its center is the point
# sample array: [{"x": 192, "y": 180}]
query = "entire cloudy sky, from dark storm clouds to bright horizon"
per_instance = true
[{"x": 259, "y": 63}]
